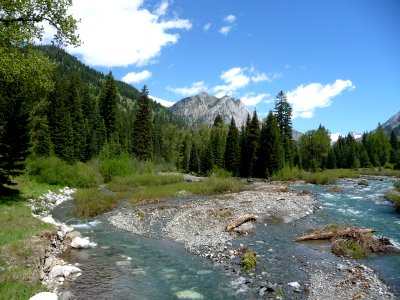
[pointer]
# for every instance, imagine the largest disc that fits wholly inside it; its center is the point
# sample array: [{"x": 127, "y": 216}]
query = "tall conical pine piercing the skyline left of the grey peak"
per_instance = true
[{"x": 142, "y": 128}]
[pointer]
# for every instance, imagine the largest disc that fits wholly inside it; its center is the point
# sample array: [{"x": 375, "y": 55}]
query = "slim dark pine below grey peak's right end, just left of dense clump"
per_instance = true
[{"x": 232, "y": 149}]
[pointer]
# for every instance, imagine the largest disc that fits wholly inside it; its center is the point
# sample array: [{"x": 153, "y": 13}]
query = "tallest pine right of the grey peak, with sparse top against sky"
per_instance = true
[{"x": 283, "y": 113}]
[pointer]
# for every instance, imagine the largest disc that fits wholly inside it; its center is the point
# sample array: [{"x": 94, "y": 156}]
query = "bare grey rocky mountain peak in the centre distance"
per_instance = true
[{"x": 203, "y": 108}]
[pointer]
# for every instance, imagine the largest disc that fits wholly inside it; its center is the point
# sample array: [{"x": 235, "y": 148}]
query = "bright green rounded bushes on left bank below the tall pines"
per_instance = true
[{"x": 54, "y": 171}]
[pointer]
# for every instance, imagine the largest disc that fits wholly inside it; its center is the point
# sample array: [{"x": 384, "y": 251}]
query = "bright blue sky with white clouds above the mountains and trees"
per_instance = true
[{"x": 338, "y": 61}]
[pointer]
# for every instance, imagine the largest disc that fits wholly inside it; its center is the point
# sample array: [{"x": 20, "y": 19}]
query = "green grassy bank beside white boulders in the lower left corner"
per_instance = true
[{"x": 19, "y": 241}]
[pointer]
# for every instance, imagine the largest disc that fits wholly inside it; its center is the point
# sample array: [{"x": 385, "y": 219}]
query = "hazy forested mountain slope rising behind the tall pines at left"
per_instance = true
[{"x": 68, "y": 64}]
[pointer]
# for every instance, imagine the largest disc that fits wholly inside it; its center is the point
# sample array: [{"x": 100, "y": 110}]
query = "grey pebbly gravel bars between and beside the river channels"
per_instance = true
[{"x": 199, "y": 225}]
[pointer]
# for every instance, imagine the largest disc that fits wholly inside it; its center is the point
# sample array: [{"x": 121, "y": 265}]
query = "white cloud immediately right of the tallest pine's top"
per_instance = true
[{"x": 306, "y": 98}]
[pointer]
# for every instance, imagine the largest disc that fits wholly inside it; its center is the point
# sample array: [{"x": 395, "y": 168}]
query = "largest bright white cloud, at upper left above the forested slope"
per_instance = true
[{"x": 123, "y": 32}]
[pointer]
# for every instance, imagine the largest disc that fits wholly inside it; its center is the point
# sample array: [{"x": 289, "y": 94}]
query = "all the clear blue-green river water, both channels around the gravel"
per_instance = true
[{"x": 128, "y": 266}]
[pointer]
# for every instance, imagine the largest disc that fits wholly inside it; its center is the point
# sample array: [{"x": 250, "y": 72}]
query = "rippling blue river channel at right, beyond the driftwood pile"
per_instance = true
[{"x": 363, "y": 207}]
